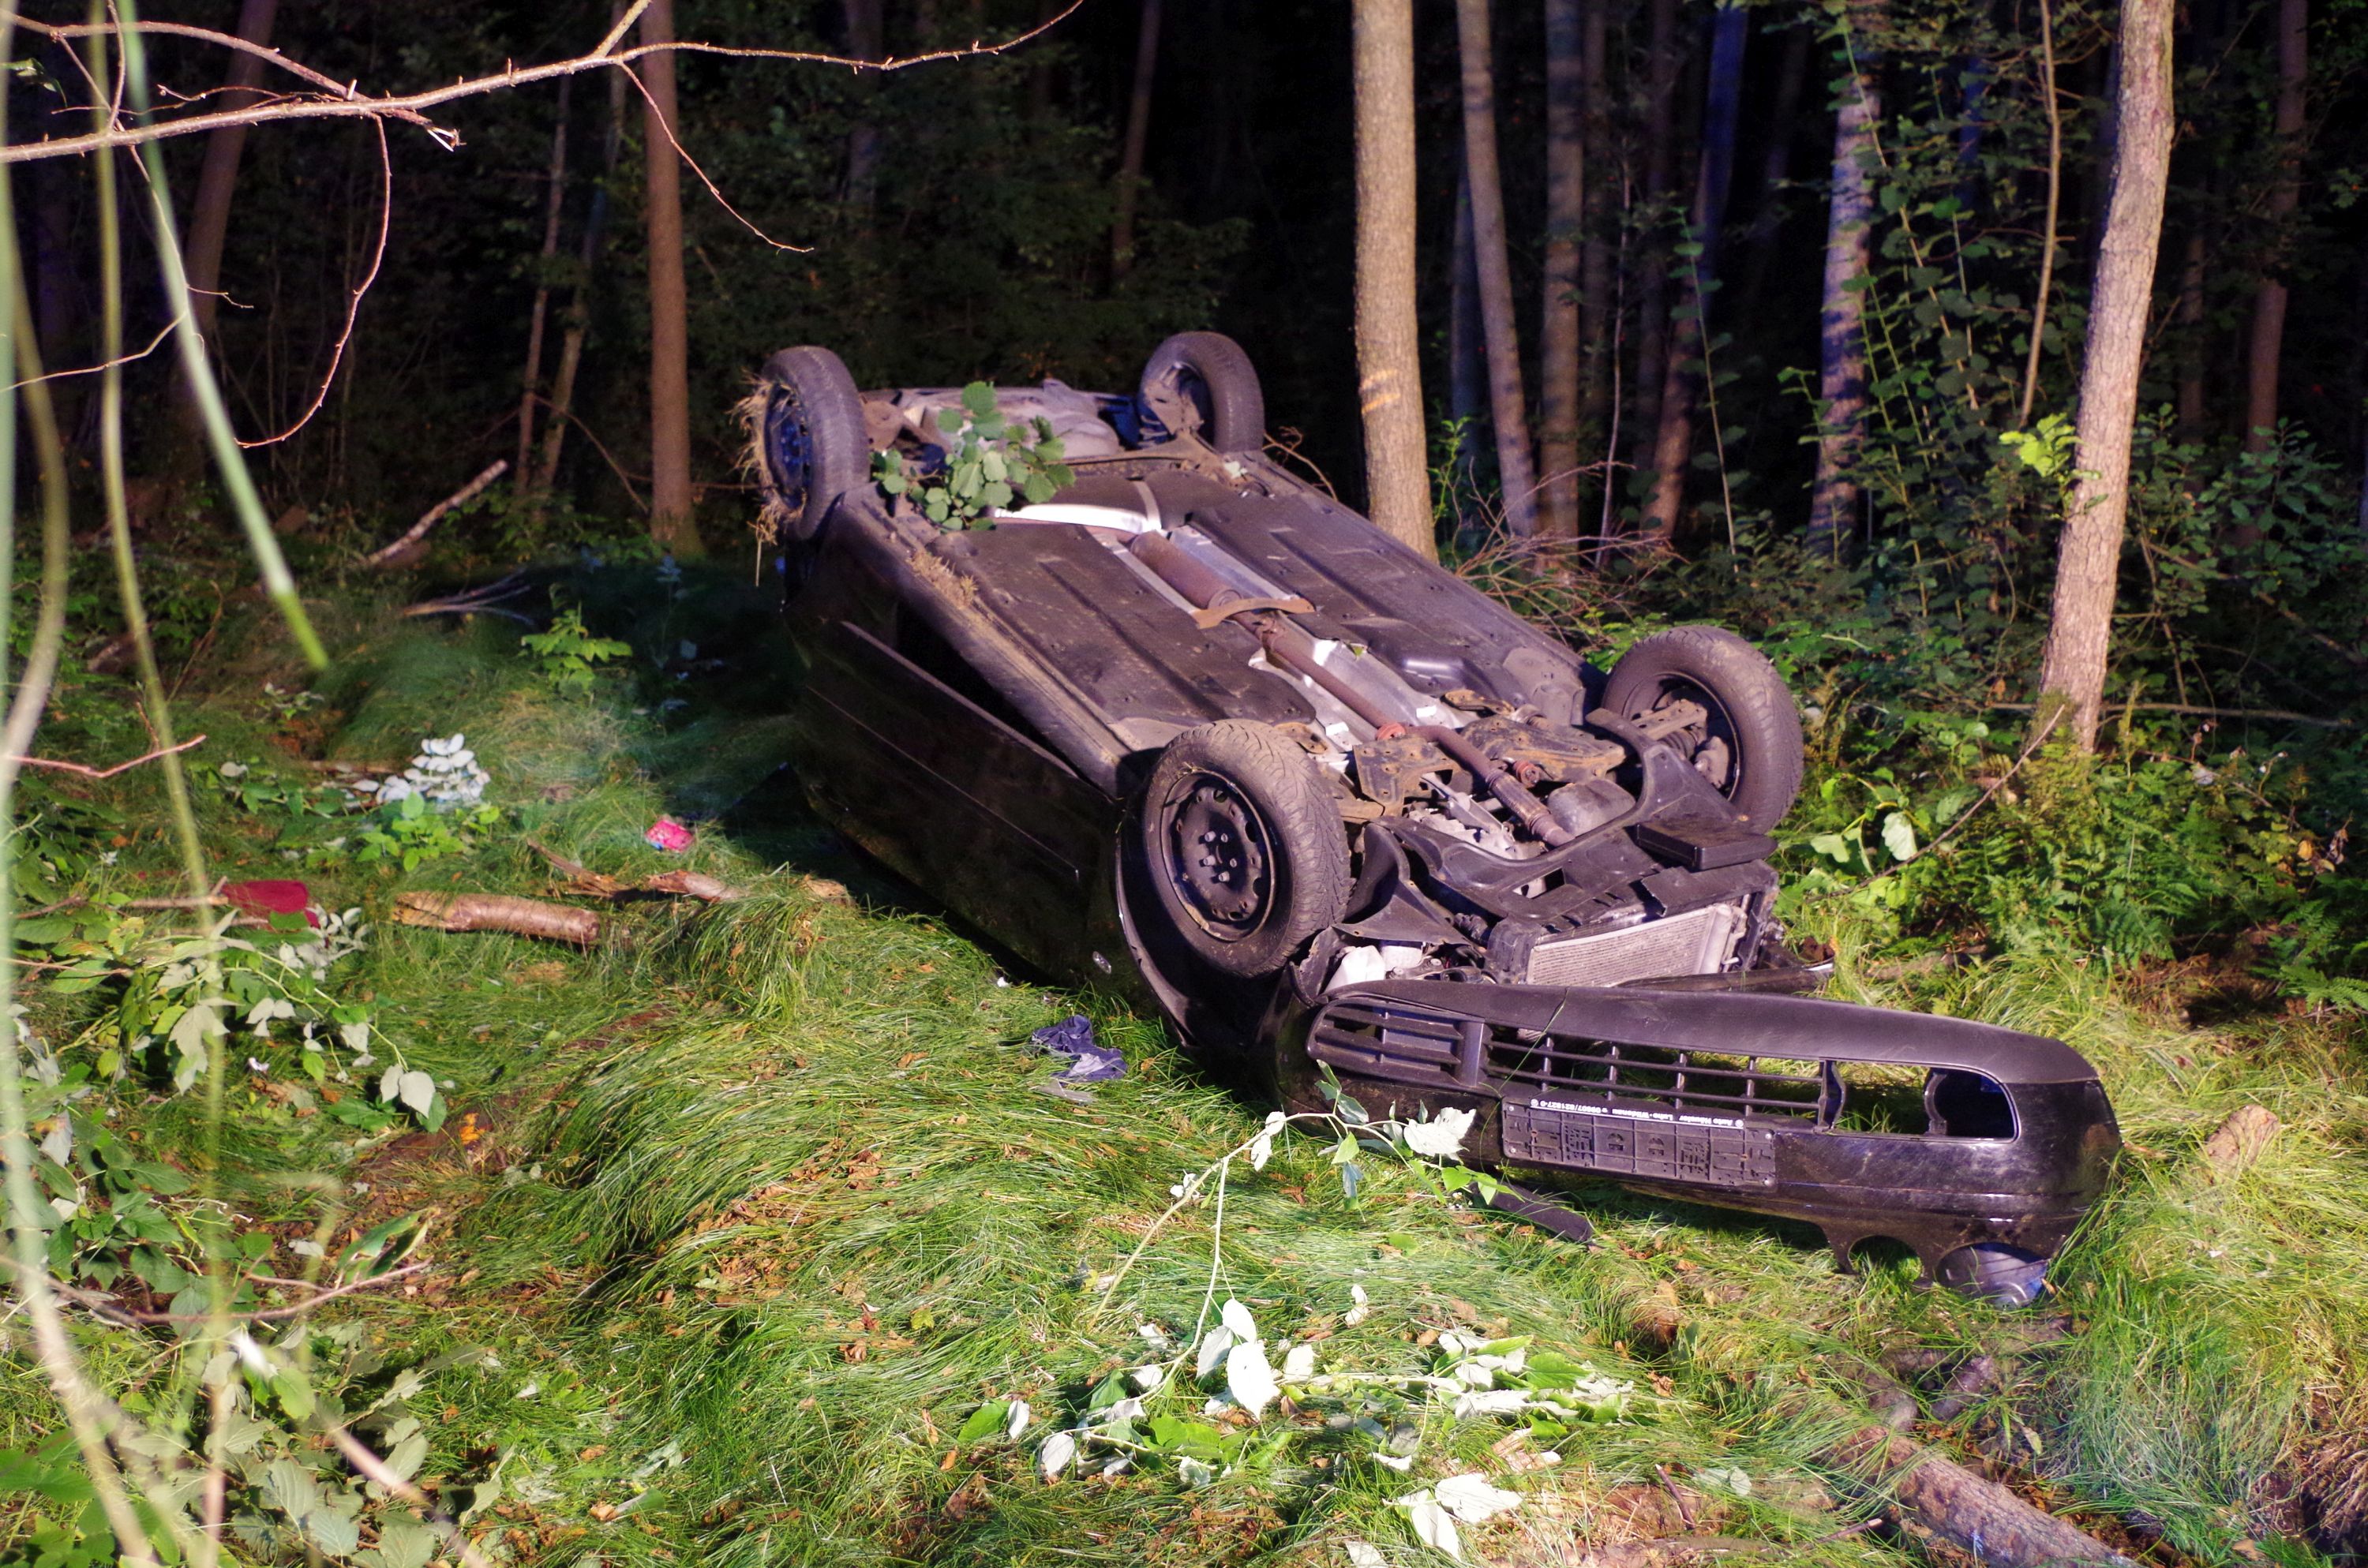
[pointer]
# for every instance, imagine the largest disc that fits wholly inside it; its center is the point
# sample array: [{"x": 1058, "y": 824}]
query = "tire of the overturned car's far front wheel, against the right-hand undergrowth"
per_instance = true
[{"x": 1749, "y": 747}]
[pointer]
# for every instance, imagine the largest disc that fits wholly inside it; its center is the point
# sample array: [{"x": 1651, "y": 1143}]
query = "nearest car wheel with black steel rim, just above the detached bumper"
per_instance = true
[{"x": 1244, "y": 847}]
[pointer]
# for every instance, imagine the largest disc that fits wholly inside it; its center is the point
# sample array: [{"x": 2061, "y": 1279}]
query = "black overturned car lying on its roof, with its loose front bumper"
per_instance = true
[{"x": 1199, "y": 731}]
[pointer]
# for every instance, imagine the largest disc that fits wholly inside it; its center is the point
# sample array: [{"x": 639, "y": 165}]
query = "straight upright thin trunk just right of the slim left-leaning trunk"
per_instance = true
[{"x": 1559, "y": 328}]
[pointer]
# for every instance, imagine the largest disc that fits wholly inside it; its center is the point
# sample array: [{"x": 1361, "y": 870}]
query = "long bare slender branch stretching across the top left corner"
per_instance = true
[{"x": 411, "y": 108}]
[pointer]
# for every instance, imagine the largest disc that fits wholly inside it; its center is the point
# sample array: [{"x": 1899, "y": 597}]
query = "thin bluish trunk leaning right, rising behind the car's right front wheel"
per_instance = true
[{"x": 1690, "y": 335}]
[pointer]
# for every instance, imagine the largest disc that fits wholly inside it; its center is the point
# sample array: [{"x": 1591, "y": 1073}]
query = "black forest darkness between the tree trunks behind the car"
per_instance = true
[{"x": 958, "y": 224}]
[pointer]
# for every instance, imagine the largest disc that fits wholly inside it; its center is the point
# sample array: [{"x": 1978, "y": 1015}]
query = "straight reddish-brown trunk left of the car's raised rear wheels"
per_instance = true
[{"x": 669, "y": 302}]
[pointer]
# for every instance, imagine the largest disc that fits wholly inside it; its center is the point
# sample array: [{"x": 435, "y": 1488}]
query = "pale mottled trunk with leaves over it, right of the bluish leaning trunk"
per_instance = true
[{"x": 1841, "y": 385}]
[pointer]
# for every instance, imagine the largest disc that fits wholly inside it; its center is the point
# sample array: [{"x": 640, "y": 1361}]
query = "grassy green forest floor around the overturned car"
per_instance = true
[{"x": 747, "y": 1214}]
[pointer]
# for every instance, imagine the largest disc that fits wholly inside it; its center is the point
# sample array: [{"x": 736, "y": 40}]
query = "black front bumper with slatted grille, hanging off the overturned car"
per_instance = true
[{"x": 1754, "y": 1103}]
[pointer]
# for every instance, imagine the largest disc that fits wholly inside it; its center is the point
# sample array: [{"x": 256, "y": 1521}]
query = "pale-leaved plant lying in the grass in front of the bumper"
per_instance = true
[{"x": 1188, "y": 1403}]
